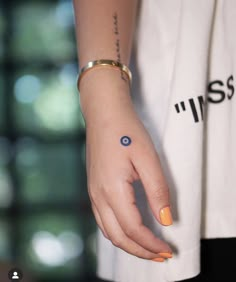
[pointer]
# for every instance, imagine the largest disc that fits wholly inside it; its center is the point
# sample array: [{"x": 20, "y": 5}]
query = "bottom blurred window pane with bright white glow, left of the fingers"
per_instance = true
[{"x": 51, "y": 245}]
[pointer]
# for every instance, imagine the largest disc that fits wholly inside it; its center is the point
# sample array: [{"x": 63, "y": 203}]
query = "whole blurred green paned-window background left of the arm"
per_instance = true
[{"x": 46, "y": 225}]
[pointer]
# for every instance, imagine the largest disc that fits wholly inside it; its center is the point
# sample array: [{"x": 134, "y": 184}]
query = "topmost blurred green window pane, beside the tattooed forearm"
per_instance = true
[{"x": 43, "y": 31}]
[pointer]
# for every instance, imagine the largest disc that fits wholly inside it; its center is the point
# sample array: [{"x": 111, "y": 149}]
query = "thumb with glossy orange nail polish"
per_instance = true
[{"x": 148, "y": 166}]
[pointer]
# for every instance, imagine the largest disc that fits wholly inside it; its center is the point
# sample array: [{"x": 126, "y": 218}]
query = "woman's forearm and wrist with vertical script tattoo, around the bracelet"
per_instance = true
[{"x": 104, "y": 30}]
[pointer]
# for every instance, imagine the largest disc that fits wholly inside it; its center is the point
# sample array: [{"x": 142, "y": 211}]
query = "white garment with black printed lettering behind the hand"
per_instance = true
[{"x": 183, "y": 65}]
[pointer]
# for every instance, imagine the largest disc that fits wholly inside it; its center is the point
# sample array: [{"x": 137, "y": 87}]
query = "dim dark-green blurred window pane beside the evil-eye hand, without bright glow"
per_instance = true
[{"x": 50, "y": 173}]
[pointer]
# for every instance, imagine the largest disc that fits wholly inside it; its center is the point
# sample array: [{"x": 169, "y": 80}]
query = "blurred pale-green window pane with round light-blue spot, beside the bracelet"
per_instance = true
[{"x": 46, "y": 103}]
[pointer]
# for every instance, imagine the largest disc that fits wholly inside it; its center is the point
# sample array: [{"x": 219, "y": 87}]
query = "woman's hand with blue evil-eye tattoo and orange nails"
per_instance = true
[{"x": 112, "y": 167}]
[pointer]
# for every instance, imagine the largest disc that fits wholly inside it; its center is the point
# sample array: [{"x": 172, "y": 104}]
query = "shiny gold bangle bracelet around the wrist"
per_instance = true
[{"x": 104, "y": 62}]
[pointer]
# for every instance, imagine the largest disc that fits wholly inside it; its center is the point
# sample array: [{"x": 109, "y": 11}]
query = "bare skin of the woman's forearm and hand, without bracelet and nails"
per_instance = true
[{"x": 109, "y": 114}]
